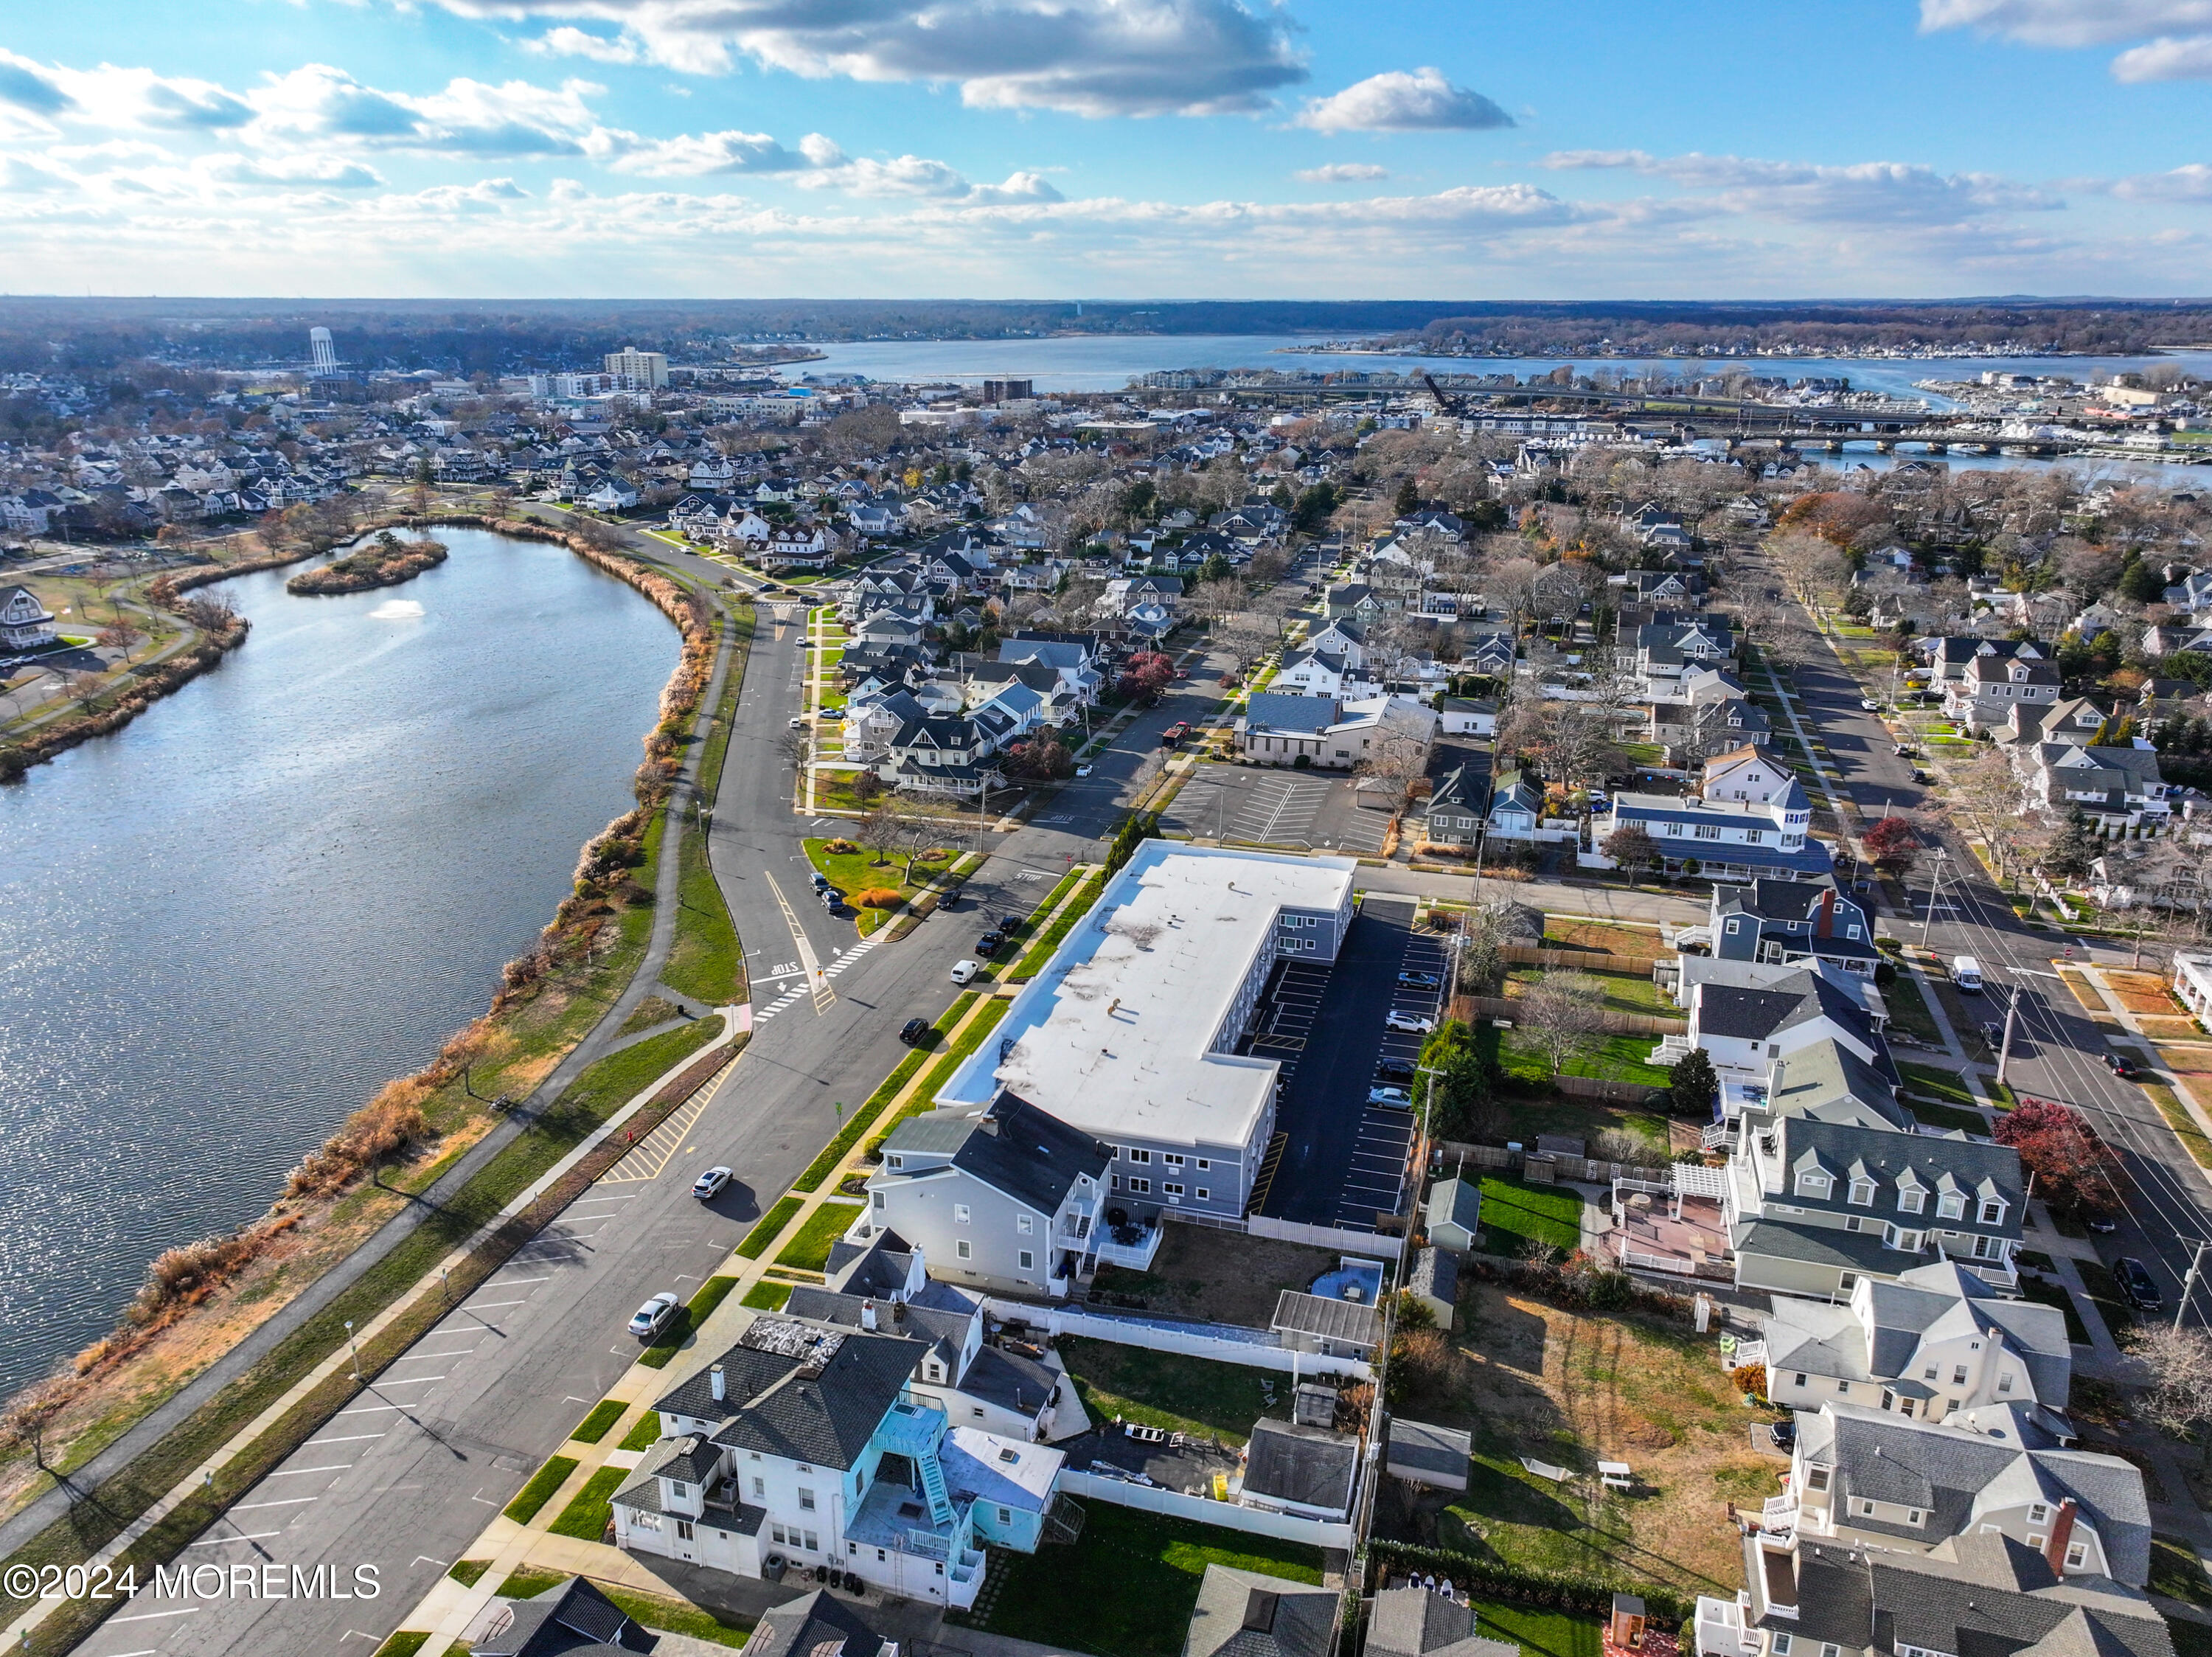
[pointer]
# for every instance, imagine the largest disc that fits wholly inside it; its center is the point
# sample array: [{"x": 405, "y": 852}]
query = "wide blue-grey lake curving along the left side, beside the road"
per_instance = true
[{"x": 227, "y": 926}]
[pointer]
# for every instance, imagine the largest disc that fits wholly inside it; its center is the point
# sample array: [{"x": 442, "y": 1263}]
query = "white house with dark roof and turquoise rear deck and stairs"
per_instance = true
[{"x": 808, "y": 1444}]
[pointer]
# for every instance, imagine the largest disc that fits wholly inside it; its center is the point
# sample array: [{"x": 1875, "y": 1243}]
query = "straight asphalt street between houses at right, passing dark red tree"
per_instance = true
[{"x": 2056, "y": 1048}]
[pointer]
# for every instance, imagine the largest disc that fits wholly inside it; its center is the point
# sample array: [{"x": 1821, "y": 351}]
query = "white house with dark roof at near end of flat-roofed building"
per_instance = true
[{"x": 1003, "y": 1198}]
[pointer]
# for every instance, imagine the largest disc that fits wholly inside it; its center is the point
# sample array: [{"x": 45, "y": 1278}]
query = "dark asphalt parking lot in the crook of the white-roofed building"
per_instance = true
[{"x": 1344, "y": 1158}]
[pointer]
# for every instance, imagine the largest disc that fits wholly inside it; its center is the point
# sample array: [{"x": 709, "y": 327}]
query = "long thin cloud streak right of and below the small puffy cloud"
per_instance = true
[{"x": 1868, "y": 194}]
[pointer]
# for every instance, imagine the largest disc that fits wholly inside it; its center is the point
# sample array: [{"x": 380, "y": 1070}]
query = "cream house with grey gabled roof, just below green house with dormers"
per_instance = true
[{"x": 1930, "y": 1344}]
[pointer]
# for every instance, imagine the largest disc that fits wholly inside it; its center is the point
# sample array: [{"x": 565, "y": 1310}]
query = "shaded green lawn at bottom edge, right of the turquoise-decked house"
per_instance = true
[{"x": 1129, "y": 1585}]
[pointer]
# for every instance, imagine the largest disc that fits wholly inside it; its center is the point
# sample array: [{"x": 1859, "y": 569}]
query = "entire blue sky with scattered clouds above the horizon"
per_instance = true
[{"x": 1109, "y": 149}]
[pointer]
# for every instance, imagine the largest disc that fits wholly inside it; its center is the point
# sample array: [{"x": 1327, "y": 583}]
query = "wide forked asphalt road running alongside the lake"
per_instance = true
[{"x": 444, "y": 1439}]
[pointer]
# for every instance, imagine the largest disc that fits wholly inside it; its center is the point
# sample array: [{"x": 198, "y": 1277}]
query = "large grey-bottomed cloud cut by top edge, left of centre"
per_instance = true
[{"x": 1094, "y": 59}]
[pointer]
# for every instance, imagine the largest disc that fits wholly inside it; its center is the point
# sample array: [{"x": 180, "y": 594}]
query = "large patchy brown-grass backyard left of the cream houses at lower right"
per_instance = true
[{"x": 1567, "y": 1390}]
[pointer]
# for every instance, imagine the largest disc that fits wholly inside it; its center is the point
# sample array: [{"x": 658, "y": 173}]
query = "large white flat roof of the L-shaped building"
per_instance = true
[{"x": 1112, "y": 1036}]
